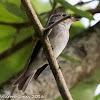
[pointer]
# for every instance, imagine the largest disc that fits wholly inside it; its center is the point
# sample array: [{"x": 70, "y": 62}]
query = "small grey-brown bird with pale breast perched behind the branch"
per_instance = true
[{"x": 58, "y": 36}]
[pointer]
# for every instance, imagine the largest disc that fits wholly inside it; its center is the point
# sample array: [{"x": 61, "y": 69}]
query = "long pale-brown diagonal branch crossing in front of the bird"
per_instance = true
[{"x": 49, "y": 53}]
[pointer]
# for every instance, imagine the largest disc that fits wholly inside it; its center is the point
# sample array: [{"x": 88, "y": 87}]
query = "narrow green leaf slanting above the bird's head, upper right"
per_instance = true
[{"x": 74, "y": 9}]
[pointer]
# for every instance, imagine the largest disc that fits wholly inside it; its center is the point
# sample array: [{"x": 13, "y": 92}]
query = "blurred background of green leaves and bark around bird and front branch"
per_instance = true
[{"x": 80, "y": 61}]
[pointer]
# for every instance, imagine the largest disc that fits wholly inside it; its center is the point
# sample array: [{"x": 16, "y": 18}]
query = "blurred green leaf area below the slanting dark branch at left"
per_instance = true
[{"x": 14, "y": 63}]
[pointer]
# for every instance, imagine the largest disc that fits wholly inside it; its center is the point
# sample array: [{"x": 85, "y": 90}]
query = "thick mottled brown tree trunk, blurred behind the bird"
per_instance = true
[{"x": 84, "y": 47}]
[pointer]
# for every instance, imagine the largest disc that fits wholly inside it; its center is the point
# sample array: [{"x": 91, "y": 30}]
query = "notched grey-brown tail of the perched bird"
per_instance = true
[{"x": 23, "y": 81}]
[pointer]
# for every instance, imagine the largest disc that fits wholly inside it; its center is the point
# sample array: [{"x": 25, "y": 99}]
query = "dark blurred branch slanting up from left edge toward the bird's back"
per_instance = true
[{"x": 15, "y": 48}]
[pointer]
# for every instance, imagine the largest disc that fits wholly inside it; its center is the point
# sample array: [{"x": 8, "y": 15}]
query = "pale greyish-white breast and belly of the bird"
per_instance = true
[{"x": 59, "y": 37}]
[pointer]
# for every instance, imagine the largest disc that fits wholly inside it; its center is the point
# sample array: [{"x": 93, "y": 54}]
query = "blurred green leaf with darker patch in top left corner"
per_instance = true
[{"x": 12, "y": 12}]
